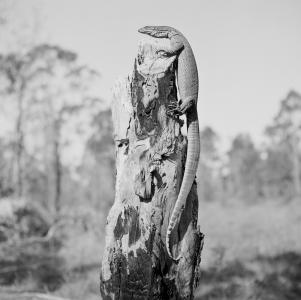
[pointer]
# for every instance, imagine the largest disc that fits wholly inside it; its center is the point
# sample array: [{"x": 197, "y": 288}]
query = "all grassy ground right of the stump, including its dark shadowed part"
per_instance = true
[{"x": 251, "y": 252}]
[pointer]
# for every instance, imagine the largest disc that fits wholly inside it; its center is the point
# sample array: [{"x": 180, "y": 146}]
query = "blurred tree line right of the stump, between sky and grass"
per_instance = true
[{"x": 250, "y": 173}]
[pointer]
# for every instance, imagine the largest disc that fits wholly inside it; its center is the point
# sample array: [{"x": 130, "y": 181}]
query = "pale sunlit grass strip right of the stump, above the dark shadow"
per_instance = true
[{"x": 243, "y": 232}]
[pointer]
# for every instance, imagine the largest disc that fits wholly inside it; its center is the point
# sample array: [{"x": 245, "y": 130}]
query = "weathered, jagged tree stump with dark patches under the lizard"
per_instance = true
[{"x": 150, "y": 159}]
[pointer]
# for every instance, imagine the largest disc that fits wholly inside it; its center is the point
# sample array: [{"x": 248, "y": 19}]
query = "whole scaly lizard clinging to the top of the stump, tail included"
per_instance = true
[{"x": 187, "y": 84}]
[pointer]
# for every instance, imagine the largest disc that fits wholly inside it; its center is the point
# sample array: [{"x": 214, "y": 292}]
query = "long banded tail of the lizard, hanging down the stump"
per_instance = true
[{"x": 192, "y": 159}]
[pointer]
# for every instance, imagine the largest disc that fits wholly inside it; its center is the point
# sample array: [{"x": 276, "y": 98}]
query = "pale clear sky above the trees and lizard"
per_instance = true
[{"x": 248, "y": 51}]
